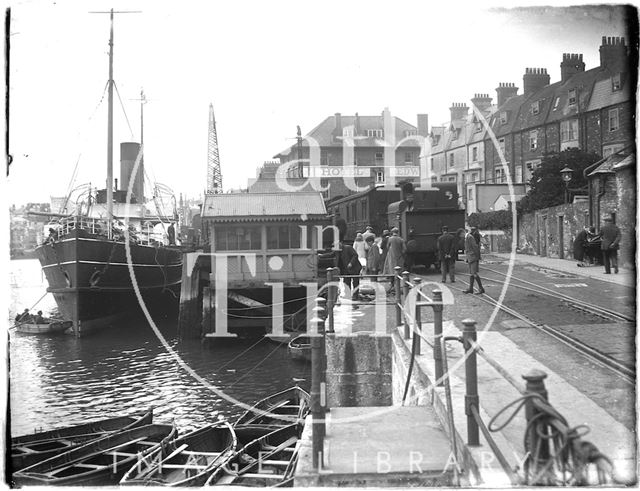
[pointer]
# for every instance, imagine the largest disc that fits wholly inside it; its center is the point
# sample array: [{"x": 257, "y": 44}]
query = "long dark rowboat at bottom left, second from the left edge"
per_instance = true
[{"x": 99, "y": 461}]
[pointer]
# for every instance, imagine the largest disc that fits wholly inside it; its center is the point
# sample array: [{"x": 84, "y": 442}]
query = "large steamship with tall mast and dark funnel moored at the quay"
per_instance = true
[{"x": 107, "y": 253}]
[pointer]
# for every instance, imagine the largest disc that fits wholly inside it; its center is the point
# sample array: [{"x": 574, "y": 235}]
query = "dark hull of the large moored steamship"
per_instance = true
[{"x": 92, "y": 283}]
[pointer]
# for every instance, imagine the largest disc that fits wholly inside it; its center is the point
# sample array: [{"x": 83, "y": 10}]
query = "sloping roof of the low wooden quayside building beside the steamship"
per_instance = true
[{"x": 263, "y": 205}]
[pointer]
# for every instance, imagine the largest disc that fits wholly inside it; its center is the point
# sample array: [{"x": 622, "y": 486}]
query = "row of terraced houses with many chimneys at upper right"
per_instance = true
[{"x": 589, "y": 109}]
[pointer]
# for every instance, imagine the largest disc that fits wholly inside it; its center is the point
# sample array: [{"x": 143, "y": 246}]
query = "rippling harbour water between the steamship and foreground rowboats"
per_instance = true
[{"x": 61, "y": 380}]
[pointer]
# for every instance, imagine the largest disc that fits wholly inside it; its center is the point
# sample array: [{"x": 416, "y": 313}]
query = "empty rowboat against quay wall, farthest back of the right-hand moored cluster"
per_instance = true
[{"x": 283, "y": 408}]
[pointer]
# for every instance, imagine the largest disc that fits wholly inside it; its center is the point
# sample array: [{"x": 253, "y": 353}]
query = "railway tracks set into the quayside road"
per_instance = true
[{"x": 621, "y": 370}]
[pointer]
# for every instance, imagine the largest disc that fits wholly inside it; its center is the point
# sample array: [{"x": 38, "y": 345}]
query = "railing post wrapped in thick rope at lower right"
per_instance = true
[{"x": 534, "y": 441}]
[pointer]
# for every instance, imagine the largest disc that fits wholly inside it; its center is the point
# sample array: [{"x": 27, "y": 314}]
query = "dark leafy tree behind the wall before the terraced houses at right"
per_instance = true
[{"x": 546, "y": 185}]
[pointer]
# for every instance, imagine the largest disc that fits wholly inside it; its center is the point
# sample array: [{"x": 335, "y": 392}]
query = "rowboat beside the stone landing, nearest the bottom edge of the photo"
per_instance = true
[{"x": 267, "y": 461}]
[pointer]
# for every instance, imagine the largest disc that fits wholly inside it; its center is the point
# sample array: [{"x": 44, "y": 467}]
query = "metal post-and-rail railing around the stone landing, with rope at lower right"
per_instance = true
[{"x": 556, "y": 454}]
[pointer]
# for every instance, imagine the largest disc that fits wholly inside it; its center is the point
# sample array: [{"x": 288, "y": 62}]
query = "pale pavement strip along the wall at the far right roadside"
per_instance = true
[{"x": 625, "y": 276}]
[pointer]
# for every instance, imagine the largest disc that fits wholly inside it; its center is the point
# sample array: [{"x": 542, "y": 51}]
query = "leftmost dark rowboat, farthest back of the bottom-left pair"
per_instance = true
[{"x": 26, "y": 450}]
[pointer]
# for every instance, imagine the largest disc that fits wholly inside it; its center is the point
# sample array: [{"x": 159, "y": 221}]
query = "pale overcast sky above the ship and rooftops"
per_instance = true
[{"x": 266, "y": 66}]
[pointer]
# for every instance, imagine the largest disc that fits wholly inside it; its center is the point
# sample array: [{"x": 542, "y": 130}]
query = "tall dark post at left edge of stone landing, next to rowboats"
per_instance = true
[{"x": 317, "y": 386}]
